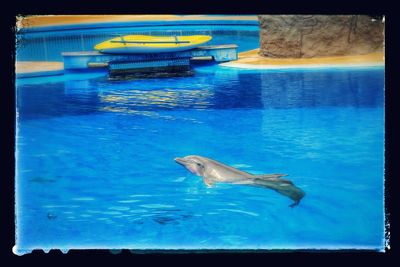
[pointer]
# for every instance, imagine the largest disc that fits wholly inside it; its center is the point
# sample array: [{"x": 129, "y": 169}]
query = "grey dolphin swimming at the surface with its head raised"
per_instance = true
[{"x": 213, "y": 171}]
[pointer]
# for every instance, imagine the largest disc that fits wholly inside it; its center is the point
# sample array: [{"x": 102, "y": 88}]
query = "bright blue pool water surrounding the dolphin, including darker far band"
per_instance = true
[{"x": 95, "y": 160}]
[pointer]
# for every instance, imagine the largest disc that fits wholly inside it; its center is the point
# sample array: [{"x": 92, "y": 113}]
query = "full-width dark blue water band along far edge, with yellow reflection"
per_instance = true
[{"x": 215, "y": 89}]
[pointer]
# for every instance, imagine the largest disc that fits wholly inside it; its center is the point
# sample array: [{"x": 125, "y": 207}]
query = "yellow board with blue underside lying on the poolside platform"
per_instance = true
[{"x": 135, "y": 44}]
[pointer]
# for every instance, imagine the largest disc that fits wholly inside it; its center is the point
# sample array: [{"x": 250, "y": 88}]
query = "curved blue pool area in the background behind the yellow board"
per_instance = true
[{"x": 47, "y": 45}]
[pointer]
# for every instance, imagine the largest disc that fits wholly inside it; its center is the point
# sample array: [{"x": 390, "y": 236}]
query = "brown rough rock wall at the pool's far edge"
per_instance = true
[{"x": 307, "y": 36}]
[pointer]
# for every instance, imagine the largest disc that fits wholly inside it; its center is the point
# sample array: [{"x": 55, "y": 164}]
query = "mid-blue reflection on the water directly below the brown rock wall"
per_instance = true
[{"x": 356, "y": 88}]
